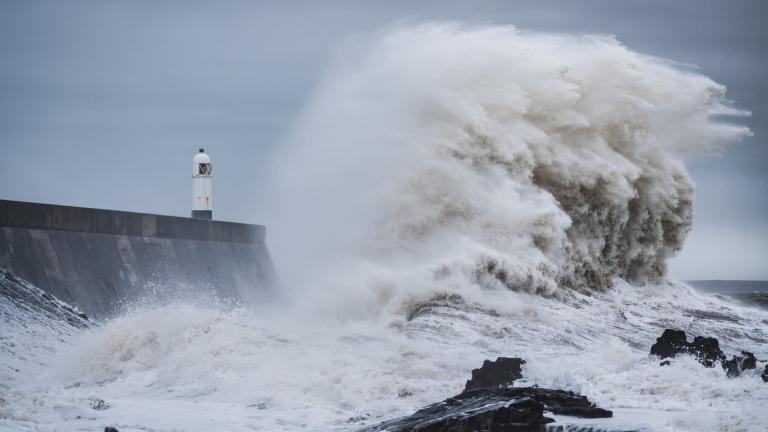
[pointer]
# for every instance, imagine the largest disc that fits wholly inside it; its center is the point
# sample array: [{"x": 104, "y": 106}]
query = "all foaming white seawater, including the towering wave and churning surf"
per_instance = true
[{"x": 449, "y": 195}]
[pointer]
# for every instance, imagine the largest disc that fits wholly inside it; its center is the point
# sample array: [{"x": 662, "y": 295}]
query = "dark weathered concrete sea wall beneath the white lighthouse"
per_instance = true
[{"x": 98, "y": 260}]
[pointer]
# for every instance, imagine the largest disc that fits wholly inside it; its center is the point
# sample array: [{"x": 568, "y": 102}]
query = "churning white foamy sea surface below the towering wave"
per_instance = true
[{"x": 187, "y": 366}]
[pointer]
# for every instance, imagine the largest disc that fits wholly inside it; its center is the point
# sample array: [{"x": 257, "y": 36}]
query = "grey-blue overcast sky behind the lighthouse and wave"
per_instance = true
[{"x": 103, "y": 103}]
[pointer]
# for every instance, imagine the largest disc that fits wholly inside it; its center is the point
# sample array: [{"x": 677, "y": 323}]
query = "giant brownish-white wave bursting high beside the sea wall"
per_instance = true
[{"x": 502, "y": 158}]
